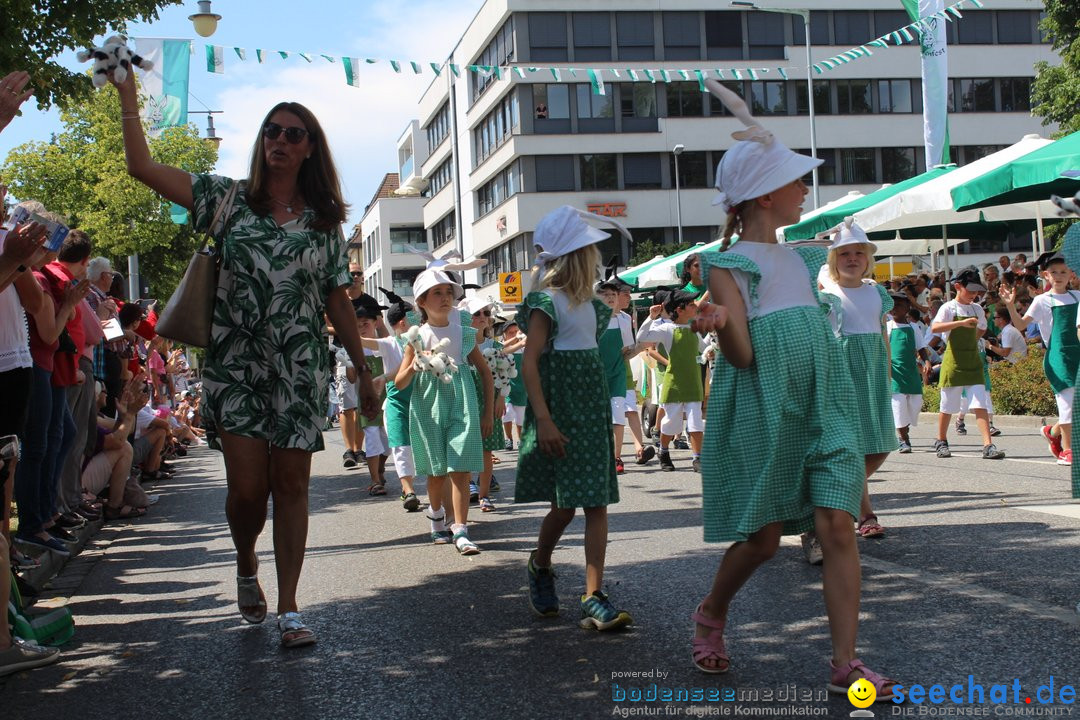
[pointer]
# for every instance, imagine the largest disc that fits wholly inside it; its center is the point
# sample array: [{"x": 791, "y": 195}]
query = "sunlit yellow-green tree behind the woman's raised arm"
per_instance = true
[{"x": 82, "y": 174}]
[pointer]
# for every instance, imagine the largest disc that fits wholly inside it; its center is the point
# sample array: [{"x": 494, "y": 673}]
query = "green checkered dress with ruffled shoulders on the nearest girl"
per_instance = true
[{"x": 778, "y": 434}]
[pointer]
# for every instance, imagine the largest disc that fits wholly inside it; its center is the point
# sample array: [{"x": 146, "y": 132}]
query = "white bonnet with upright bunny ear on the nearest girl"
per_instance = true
[{"x": 759, "y": 164}]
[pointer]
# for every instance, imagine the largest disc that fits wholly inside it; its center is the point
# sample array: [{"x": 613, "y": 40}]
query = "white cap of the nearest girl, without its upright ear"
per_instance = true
[{"x": 752, "y": 169}]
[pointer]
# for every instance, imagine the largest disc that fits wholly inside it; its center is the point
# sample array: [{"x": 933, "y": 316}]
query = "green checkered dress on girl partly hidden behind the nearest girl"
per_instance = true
[{"x": 869, "y": 362}]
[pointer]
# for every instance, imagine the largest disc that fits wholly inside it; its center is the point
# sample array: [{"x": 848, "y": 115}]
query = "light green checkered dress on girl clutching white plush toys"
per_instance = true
[{"x": 444, "y": 417}]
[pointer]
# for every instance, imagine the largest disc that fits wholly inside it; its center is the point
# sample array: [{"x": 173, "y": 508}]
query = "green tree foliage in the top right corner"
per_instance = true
[{"x": 1056, "y": 94}]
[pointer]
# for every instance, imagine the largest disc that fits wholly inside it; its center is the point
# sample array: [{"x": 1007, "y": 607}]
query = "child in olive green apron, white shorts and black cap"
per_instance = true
[{"x": 962, "y": 323}]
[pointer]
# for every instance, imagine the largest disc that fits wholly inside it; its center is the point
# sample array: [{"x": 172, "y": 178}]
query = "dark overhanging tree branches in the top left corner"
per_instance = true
[{"x": 35, "y": 33}]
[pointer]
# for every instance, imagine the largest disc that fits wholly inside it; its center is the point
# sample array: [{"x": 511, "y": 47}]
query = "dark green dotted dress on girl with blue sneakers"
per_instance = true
[{"x": 575, "y": 387}]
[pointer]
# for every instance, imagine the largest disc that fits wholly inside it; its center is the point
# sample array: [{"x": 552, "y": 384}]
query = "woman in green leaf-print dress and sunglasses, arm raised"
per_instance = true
[{"x": 283, "y": 266}]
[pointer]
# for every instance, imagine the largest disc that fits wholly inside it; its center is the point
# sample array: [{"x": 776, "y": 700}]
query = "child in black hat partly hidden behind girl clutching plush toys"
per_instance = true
[{"x": 396, "y": 409}]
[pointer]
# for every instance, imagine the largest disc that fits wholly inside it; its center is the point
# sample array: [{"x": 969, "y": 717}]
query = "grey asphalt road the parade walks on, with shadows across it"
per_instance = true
[{"x": 978, "y": 576}]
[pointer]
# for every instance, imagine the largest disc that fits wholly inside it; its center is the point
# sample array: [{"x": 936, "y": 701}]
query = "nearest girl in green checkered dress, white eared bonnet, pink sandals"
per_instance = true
[{"x": 767, "y": 303}]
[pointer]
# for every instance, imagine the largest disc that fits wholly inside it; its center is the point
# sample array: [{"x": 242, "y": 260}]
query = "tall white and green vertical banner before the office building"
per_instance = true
[{"x": 933, "y": 42}]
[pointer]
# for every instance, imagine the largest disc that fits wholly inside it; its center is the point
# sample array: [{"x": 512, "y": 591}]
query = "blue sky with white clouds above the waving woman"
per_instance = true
[{"x": 362, "y": 124}]
